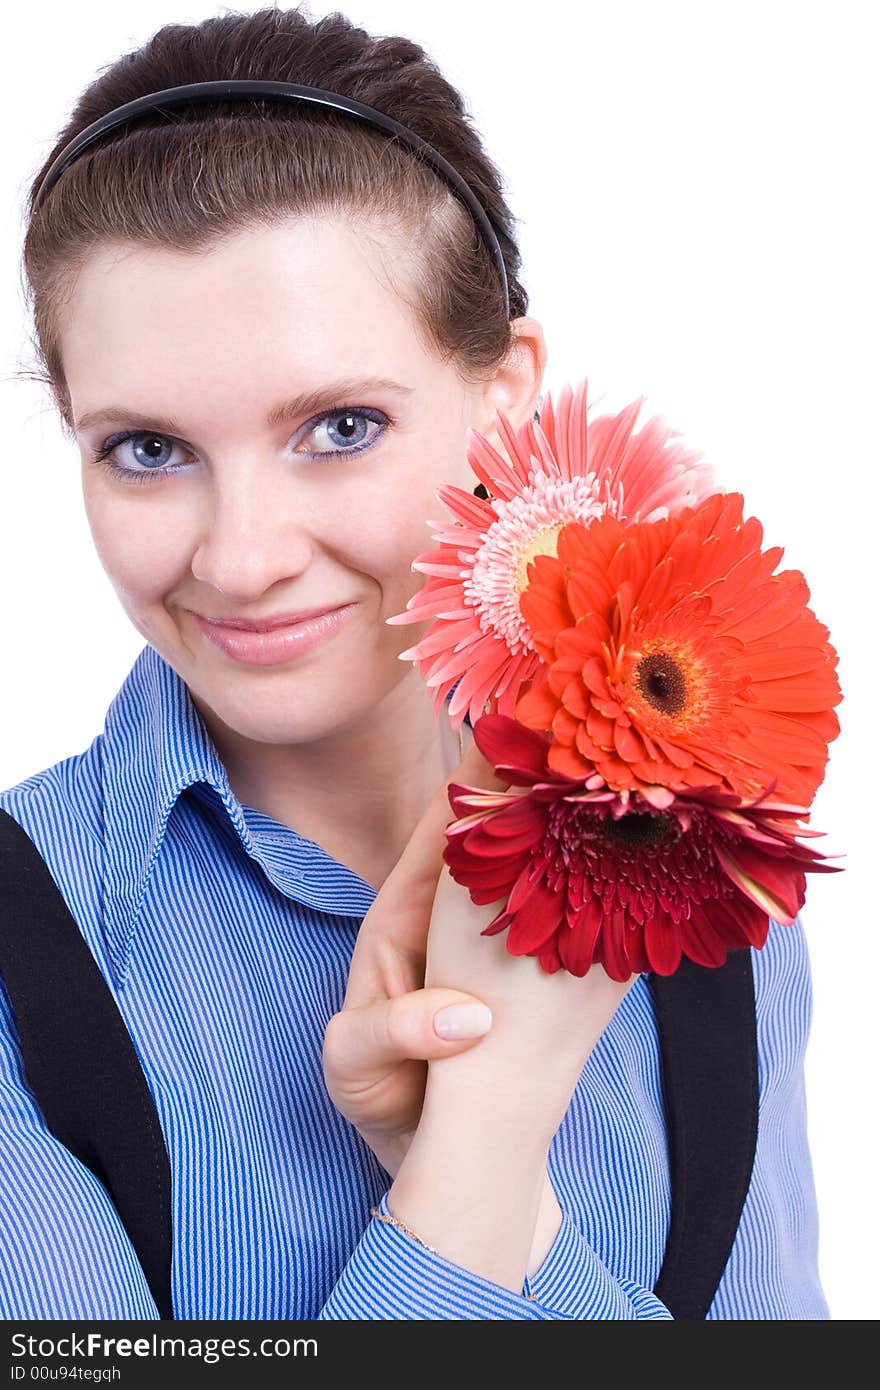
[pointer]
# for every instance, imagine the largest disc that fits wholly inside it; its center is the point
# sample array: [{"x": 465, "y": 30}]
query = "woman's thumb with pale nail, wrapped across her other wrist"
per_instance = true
[{"x": 362, "y": 1045}]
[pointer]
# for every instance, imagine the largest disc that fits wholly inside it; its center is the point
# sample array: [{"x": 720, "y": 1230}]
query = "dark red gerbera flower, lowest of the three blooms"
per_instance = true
[{"x": 632, "y": 881}]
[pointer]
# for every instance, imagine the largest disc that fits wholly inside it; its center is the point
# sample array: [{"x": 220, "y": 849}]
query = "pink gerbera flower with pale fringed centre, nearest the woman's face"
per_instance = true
[{"x": 561, "y": 469}]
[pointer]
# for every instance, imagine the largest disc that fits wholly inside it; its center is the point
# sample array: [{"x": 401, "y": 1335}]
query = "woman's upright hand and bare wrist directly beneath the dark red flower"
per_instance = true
[{"x": 475, "y": 1181}]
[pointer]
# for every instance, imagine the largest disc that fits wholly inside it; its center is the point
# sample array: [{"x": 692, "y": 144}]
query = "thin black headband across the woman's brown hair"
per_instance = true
[{"x": 238, "y": 91}]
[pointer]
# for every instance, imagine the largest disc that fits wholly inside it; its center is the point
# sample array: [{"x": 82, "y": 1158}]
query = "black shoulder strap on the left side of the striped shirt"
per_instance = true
[{"x": 79, "y": 1056}]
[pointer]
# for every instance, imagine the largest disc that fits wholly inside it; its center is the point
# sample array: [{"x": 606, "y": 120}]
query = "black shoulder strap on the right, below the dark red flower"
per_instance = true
[{"x": 710, "y": 1070}]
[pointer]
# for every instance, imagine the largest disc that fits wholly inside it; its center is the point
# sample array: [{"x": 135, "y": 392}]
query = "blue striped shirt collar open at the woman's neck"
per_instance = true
[{"x": 155, "y": 746}]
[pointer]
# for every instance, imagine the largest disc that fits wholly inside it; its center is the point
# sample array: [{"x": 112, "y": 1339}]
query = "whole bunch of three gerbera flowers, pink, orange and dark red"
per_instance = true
[{"x": 657, "y": 696}]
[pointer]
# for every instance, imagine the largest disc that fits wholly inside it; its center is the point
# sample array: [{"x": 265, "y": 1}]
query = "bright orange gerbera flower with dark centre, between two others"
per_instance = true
[{"x": 678, "y": 658}]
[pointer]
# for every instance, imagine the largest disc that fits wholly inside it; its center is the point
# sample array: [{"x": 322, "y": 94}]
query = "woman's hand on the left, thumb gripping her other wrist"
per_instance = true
[{"x": 379, "y": 1046}]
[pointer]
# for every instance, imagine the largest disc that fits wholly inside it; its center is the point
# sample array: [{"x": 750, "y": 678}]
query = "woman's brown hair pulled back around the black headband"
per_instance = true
[{"x": 215, "y": 170}]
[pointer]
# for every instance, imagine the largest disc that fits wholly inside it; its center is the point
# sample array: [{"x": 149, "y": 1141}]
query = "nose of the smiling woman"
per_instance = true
[{"x": 251, "y": 534}]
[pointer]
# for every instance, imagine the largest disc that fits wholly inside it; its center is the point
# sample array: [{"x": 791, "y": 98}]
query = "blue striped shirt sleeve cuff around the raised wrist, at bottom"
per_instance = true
[{"x": 391, "y": 1277}]
